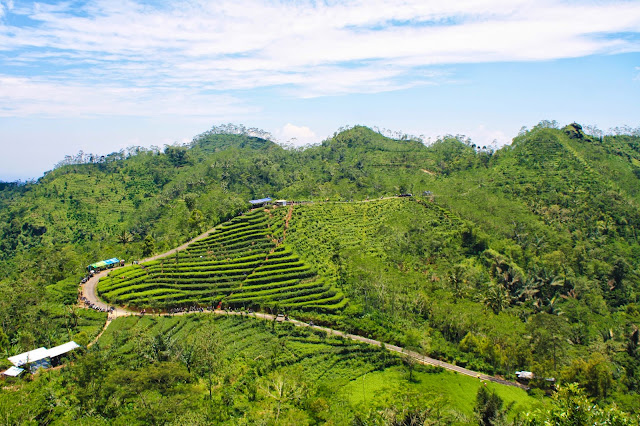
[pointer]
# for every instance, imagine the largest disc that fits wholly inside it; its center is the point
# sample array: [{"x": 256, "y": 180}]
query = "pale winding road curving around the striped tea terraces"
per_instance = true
[{"x": 89, "y": 291}]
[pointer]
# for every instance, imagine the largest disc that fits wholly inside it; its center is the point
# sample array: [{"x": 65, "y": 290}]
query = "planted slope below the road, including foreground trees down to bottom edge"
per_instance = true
[{"x": 207, "y": 369}]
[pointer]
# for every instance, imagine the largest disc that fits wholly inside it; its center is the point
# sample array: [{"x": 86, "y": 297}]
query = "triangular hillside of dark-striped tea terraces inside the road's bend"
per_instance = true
[{"x": 243, "y": 263}]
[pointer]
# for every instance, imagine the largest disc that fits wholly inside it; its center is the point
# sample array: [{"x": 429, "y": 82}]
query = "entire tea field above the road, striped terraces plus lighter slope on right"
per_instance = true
[{"x": 279, "y": 257}]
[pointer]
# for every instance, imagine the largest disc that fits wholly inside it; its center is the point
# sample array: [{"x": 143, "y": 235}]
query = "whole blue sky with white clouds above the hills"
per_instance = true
[{"x": 103, "y": 75}]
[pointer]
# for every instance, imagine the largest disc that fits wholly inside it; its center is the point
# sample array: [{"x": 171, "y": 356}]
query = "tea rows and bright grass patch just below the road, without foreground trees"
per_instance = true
[{"x": 252, "y": 354}]
